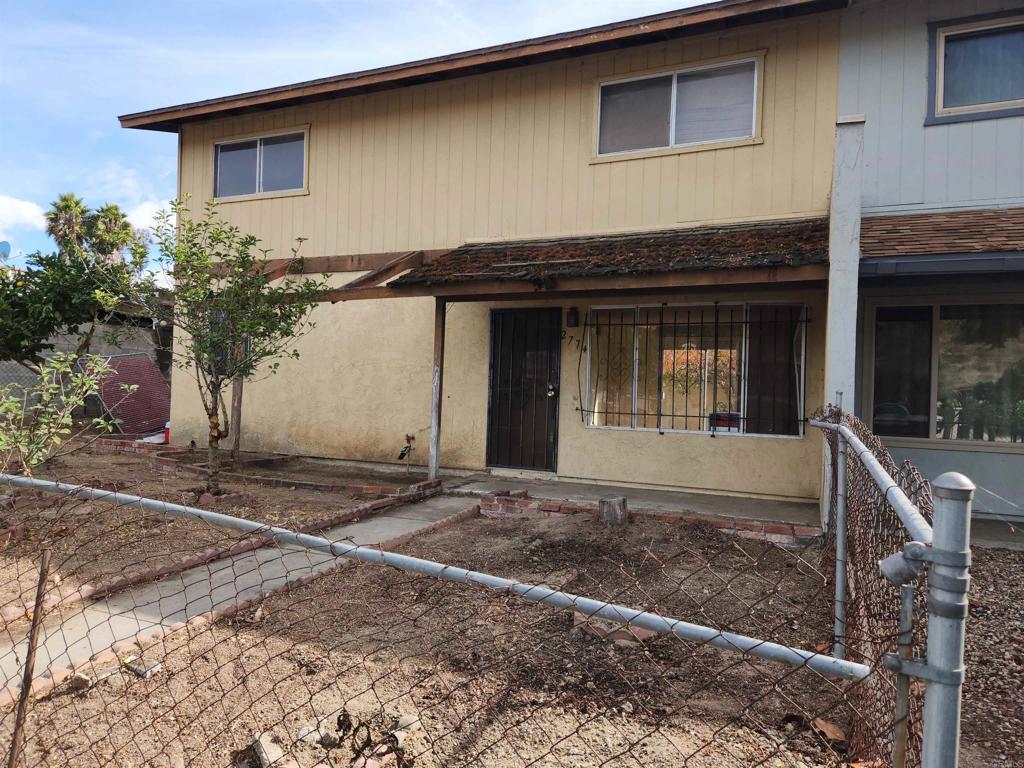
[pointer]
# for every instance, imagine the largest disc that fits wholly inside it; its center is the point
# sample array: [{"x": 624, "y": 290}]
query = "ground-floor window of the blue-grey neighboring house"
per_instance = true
[{"x": 951, "y": 372}]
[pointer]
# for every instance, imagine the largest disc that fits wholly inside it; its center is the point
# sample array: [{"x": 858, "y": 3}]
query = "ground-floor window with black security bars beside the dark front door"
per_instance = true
[{"x": 721, "y": 368}]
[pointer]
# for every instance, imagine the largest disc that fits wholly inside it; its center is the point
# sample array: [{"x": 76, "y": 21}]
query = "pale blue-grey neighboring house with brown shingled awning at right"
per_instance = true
[{"x": 941, "y": 87}]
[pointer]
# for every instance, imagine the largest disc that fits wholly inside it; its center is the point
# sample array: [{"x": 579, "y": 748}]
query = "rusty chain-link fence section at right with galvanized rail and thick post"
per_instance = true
[{"x": 941, "y": 549}]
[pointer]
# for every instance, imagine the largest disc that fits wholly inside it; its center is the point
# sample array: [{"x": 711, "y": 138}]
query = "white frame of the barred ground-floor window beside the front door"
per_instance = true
[{"x": 745, "y": 352}]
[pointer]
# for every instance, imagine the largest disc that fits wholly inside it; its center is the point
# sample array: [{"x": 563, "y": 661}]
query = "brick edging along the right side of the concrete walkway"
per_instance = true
[{"x": 53, "y": 678}]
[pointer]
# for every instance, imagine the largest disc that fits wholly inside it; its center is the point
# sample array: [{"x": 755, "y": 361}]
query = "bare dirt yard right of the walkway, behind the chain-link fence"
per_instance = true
[{"x": 493, "y": 680}]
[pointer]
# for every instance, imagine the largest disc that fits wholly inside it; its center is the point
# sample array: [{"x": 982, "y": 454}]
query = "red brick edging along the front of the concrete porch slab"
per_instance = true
[{"x": 508, "y": 503}]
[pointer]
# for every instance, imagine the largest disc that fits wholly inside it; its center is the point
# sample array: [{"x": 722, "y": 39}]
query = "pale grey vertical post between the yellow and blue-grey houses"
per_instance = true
[{"x": 844, "y": 260}]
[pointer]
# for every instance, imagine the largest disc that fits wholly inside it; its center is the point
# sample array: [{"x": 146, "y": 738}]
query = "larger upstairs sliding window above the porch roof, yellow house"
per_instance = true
[{"x": 687, "y": 108}]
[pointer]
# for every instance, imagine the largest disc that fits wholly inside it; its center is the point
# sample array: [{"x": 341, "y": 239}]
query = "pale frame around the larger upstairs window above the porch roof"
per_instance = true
[{"x": 756, "y": 59}]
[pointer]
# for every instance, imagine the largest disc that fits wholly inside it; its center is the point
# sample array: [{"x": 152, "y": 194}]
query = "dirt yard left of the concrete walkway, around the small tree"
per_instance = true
[{"x": 94, "y": 542}]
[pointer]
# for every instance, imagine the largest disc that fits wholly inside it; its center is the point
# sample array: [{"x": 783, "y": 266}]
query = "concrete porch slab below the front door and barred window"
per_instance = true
[{"x": 658, "y": 501}]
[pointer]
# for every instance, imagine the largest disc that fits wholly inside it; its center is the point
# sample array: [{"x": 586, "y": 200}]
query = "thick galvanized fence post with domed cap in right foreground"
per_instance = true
[{"x": 948, "y": 587}]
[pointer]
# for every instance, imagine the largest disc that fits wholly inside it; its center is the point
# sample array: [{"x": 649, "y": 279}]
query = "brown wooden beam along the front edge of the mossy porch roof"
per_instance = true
[{"x": 479, "y": 290}]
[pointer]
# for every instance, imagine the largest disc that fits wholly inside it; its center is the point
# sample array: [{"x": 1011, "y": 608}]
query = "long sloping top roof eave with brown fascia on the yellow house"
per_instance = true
[{"x": 697, "y": 20}]
